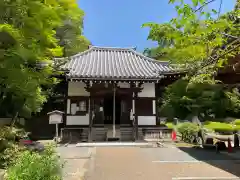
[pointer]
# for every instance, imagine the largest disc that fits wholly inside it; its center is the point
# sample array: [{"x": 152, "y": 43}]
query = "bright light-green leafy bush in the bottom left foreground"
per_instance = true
[{"x": 35, "y": 166}]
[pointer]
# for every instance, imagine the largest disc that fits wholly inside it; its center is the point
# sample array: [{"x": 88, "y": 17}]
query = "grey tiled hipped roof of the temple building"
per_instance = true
[{"x": 115, "y": 63}]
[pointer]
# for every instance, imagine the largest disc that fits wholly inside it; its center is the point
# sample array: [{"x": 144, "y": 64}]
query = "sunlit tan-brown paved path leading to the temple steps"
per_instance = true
[{"x": 132, "y": 163}]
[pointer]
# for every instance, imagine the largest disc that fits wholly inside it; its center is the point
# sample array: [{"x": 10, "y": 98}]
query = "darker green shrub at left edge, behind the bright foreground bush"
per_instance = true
[{"x": 9, "y": 148}]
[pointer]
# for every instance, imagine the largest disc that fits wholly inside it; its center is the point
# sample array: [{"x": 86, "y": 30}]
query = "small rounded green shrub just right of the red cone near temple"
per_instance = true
[{"x": 188, "y": 131}]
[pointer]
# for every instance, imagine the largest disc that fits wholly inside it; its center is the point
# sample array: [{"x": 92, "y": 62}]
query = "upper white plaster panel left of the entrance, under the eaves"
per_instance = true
[{"x": 77, "y": 89}]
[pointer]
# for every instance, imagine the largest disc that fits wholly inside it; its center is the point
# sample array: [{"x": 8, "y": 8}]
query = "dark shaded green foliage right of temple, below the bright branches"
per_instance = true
[{"x": 186, "y": 98}]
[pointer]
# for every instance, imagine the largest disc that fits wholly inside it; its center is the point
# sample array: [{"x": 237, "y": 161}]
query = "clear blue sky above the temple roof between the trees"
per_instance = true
[{"x": 117, "y": 23}]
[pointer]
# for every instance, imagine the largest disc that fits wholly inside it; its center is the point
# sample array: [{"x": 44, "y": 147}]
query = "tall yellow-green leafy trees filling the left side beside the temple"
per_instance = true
[{"x": 32, "y": 33}]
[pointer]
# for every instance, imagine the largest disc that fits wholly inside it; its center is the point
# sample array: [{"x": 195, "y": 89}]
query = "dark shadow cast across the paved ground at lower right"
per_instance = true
[{"x": 218, "y": 160}]
